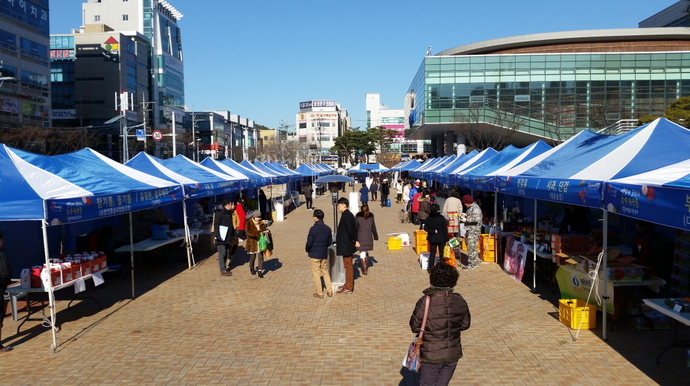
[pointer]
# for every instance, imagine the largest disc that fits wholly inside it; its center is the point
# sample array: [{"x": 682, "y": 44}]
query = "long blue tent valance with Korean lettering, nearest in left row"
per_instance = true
[{"x": 88, "y": 208}]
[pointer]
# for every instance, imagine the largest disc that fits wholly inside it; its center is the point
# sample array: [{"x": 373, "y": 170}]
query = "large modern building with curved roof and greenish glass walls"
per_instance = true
[{"x": 546, "y": 86}]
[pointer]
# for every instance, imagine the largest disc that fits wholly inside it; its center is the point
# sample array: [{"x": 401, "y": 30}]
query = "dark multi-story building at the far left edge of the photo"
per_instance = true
[{"x": 24, "y": 64}]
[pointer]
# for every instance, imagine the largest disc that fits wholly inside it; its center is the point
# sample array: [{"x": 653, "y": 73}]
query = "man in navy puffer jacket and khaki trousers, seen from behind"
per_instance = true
[{"x": 318, "y": 241}]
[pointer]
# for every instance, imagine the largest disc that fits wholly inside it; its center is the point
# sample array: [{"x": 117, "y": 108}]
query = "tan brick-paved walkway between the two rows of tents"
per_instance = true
[{"x": 195, "y": 327}]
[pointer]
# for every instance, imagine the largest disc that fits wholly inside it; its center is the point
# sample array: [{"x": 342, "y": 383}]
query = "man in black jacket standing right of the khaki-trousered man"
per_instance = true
[{"x": 347, "y": 244}]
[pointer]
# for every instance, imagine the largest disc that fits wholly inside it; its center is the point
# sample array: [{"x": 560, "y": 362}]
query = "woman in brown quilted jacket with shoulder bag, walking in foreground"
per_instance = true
[{"x": 447, "y": 315}]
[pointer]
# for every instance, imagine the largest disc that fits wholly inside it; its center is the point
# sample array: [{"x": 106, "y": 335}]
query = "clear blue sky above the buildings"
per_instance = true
[{"x": 260, "y": 58}]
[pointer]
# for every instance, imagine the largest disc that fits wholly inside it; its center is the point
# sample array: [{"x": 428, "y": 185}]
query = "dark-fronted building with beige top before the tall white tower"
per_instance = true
[{"x": 90, "y": 68}]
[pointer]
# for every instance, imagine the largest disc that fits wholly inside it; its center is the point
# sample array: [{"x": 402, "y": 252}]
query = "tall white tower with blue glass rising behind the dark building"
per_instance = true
[{"x": 158, "y": 21}]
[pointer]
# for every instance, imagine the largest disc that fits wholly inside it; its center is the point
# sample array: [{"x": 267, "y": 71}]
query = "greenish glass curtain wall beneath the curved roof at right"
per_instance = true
[{"x": 541, "y": 92}]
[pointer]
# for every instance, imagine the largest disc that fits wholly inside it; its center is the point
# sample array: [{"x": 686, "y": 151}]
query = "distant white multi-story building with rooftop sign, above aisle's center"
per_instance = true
[{"x": 319, "y": 123}]
